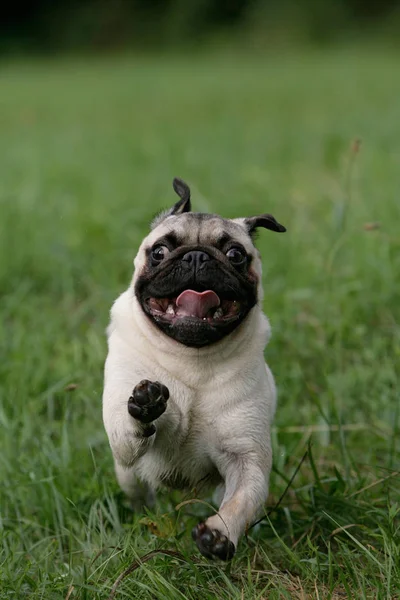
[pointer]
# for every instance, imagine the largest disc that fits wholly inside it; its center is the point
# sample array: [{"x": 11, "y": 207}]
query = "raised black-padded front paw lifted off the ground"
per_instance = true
[{"x": 148, "y": 401}]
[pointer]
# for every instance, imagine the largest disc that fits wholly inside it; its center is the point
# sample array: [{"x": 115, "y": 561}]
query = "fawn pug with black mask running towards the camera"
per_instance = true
[{"x": 187, "y": 394}]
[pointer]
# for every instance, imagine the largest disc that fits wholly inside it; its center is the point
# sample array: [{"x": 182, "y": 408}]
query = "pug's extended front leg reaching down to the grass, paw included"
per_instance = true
[{"x": 246, "y": 490}]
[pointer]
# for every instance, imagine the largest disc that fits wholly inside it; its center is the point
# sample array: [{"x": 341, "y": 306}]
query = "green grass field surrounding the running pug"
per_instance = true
[{"x": 88, "y": 153}]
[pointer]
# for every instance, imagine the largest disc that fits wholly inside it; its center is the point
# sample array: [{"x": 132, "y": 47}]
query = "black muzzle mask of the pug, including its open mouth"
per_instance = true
[{"x": 195, "y": 294}]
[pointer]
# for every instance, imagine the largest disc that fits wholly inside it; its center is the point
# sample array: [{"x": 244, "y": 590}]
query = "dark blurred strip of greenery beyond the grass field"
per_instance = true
[{"x": 103, "y": 25}]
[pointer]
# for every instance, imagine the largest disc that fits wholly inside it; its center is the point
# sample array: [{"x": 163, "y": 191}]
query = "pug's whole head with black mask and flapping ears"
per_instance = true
[{"x": 197, "y": 276}]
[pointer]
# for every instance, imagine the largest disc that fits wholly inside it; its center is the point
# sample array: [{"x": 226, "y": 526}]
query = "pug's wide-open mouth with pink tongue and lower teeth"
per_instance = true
[{"x": 204, "y": 306}]
